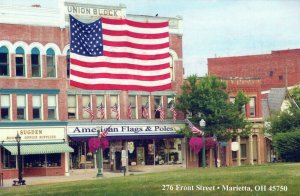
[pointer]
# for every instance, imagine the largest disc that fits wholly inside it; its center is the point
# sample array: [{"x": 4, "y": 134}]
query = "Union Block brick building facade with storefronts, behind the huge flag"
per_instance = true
[{"x": 38, "y": 103}]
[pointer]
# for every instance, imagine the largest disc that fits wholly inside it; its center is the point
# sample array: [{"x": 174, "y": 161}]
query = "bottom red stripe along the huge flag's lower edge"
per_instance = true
[{"x": 119, "y": 87}]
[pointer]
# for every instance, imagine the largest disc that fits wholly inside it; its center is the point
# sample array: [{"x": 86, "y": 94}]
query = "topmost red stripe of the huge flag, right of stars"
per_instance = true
[{"x": 135, "y": 23}]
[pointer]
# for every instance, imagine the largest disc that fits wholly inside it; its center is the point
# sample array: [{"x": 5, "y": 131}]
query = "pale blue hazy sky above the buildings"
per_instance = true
[{"x": 217, "y": 28}]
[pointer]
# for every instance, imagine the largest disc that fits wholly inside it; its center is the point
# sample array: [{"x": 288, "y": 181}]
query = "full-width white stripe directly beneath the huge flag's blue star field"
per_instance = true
[{"x": 120, "y": 60}]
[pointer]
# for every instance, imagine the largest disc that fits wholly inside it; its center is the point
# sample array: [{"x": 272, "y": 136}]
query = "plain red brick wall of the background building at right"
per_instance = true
[{"x": 268, "y": 67}]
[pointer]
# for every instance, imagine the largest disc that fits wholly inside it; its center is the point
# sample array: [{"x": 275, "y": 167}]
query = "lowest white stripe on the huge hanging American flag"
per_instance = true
[{"x": 120, "y": 81}]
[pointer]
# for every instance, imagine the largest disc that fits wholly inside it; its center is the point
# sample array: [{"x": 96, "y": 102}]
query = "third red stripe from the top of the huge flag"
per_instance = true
[{"x": 134, "y": 45}]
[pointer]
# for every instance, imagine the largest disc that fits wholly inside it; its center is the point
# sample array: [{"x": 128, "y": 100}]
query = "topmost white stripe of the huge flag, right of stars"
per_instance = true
[{"x": 125, "y": 27}]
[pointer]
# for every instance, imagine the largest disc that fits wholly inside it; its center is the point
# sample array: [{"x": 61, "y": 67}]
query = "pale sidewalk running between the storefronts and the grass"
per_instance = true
[{"x": 90, "y": 174}]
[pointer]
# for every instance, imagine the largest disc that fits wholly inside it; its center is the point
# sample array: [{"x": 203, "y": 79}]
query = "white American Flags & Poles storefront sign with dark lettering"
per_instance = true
[{"x": 123, "y": 130}]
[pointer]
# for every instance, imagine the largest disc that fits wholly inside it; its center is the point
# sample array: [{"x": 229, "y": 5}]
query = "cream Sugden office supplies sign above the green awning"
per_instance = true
[{"x": 32, "y": 134}]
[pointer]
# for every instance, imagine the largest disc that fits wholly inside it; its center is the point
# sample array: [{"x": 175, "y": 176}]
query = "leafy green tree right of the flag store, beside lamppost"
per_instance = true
[{"x": 208, "y": 98}]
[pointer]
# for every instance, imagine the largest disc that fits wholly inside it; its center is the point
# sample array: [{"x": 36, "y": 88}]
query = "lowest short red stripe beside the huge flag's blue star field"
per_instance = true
[{"x": 135, "y": 56}]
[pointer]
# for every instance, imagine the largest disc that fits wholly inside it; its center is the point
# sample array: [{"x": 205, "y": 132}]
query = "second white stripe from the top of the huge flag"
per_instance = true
[{"x": 135, "y": 40}]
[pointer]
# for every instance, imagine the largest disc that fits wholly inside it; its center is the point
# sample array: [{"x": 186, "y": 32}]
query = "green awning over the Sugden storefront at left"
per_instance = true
[{"x": 39, "y": 148}]
